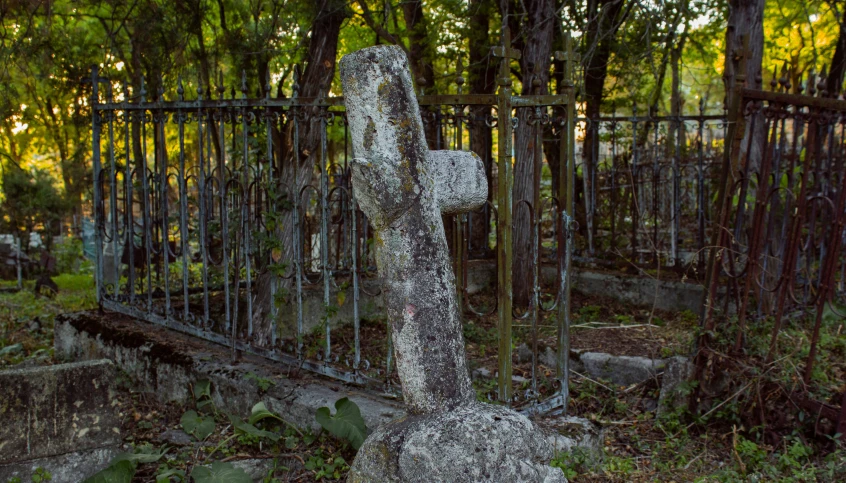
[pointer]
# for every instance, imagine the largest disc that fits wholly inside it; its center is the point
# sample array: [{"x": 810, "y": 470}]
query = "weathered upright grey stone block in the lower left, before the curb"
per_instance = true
[{"x": 53, "y": 410}]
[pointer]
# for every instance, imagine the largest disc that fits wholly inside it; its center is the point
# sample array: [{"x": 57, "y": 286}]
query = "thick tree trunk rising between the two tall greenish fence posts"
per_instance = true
[{"x": 537, "y": 32}]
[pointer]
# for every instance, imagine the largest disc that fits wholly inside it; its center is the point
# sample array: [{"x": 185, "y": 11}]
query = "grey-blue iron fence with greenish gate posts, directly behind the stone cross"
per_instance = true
[{"x": 216, "y": 213}]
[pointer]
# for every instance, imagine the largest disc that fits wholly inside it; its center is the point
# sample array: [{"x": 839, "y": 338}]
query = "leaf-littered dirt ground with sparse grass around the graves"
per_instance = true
[{"x": 638, "y": 446}]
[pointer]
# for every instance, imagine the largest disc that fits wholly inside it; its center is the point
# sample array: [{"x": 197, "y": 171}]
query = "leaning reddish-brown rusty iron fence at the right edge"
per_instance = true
[{"x": 778, "y": 247}]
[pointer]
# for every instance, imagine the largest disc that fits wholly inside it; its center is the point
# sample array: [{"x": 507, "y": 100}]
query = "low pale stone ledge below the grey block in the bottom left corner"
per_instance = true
[{"x": 67, "y": 468}]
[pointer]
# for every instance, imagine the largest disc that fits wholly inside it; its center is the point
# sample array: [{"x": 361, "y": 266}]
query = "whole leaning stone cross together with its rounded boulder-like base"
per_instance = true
[{"x": 403, "y": 188}]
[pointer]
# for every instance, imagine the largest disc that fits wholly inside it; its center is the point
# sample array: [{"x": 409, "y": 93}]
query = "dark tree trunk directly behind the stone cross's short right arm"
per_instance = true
[{"x": 482, "y": 76}]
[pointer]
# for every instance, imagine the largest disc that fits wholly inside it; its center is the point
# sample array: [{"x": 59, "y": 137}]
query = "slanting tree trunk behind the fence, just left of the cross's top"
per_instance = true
[{"x": 316, "y": 81}]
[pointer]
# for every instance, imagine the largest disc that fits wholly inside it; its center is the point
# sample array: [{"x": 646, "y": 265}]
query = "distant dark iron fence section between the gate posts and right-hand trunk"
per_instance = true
[{"x": 648, "y": 183}]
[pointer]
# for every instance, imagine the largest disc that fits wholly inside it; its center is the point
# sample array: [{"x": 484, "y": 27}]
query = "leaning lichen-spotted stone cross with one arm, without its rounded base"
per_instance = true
[{"x": 403, "y": 188}]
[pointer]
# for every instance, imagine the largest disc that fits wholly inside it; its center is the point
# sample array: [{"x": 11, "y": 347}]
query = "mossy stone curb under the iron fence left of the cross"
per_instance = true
[{"x": 165, "y": 363}]
